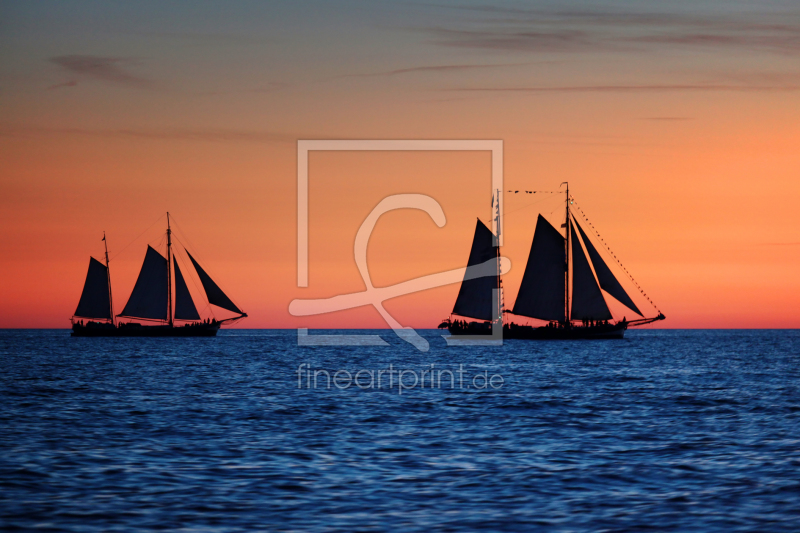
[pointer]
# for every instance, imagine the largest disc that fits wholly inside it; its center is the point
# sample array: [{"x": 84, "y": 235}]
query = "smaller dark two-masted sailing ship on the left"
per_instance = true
[{"x": 151, "y": 299}]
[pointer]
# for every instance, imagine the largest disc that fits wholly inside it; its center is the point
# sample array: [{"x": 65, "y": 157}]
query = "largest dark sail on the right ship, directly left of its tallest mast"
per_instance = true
[{"x": 541, "y": 293}]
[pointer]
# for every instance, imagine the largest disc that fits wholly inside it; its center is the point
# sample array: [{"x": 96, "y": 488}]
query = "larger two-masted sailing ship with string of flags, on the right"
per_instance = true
[{"x": 556, "y": 264}]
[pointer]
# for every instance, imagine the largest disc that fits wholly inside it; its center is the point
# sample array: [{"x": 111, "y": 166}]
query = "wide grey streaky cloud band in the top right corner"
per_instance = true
[{"x": 564, "y": 31}]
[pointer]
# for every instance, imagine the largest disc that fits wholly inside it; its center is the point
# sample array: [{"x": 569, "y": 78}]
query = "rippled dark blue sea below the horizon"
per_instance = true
[{"x": 663, "y": 431}]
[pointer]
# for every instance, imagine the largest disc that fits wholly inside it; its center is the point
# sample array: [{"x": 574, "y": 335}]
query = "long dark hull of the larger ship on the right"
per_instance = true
[{"x": 514, "y": 331}]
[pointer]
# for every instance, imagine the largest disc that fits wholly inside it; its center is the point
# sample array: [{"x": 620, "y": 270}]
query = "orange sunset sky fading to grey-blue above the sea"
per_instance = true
[{"x": 677, "y": 125}]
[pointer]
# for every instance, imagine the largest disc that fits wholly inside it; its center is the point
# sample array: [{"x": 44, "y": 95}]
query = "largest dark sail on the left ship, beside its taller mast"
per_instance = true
[{"x": 149, "y": 296}]
